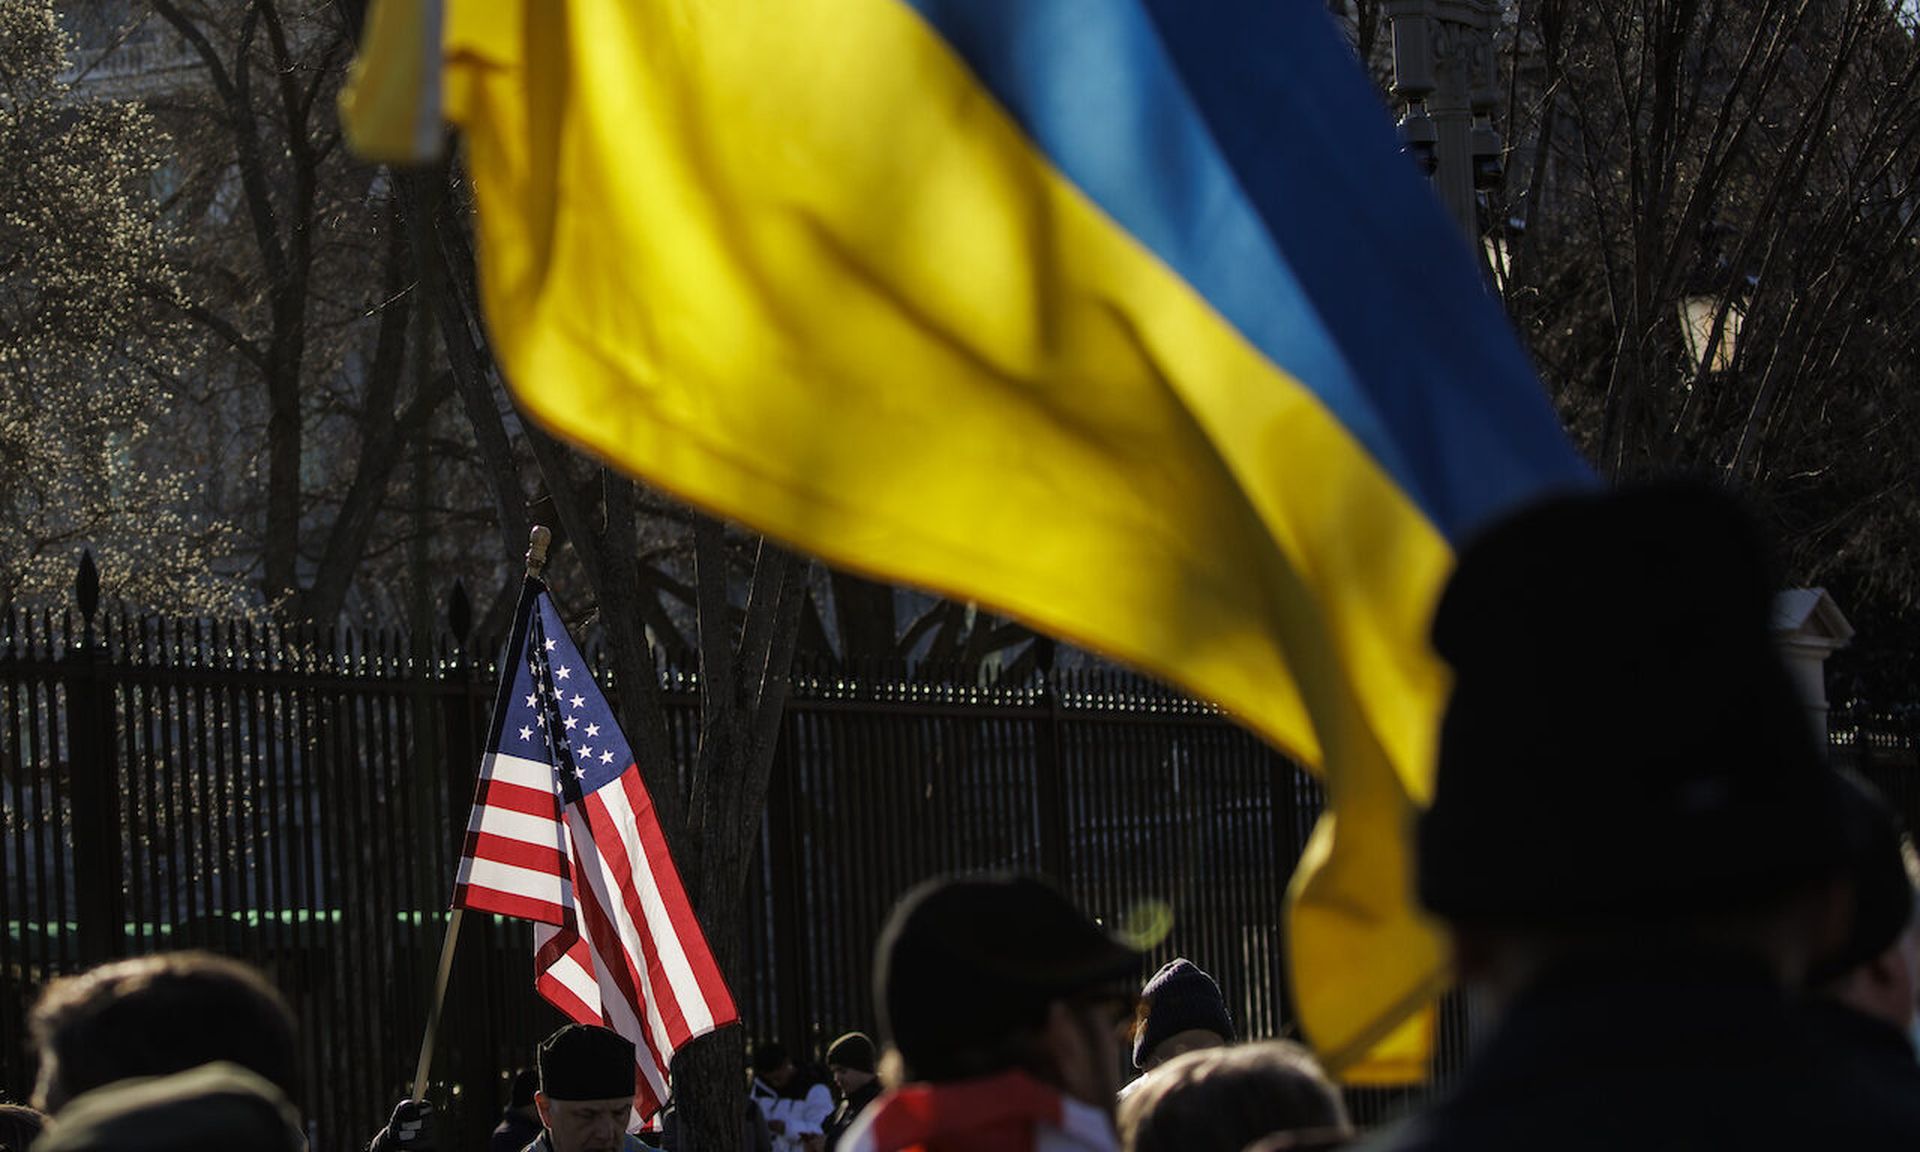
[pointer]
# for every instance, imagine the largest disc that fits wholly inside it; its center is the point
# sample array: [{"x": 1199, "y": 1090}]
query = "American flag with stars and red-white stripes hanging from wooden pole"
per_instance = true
[{"x": 564, "y": 834}]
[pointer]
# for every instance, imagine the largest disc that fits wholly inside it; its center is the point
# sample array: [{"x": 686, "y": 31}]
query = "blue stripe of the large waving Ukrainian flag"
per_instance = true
[{"x": 1241, "y": 143}]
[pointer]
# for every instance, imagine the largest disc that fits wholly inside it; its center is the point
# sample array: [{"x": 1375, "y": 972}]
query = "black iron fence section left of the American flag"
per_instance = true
[{"x": 262, "y": 794}]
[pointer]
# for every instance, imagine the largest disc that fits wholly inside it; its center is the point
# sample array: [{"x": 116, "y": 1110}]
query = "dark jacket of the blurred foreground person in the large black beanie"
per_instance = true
[{"x": 1685, "y": 1055}]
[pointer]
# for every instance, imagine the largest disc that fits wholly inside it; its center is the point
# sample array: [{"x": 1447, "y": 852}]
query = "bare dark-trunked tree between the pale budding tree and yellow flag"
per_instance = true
[{"x": 352, "y": 473}]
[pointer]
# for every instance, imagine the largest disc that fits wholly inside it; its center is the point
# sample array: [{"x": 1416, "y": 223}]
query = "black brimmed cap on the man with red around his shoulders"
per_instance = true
[{"x": 967, "y": 963}]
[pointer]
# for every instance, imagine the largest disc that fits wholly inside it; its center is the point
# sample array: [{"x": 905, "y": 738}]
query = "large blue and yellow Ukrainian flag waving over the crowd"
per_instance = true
[{"x": 1124, "y": 318}]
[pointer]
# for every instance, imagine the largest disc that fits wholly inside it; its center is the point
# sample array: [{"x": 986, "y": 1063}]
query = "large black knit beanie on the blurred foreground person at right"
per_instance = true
[{"x": 1621, "y": 742}]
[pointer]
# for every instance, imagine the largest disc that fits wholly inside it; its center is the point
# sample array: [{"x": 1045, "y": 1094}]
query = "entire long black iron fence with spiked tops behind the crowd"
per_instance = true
[{"x": 293, "y": 798}]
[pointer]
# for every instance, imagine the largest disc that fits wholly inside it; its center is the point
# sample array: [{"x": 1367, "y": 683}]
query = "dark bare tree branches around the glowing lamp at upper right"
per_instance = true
[{"x": 1708, "y": 239}]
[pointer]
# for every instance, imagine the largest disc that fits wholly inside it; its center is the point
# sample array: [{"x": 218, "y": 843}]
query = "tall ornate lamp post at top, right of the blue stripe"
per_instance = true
[{"x": 1447, "y": 80}]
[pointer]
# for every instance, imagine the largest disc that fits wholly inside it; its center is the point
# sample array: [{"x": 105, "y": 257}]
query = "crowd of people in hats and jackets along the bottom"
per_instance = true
[{"x": 1679, "y": 928}]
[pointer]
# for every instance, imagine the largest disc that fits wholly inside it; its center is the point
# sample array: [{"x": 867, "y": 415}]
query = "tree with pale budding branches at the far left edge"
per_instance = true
[{"x": 87, "y": 341}]
